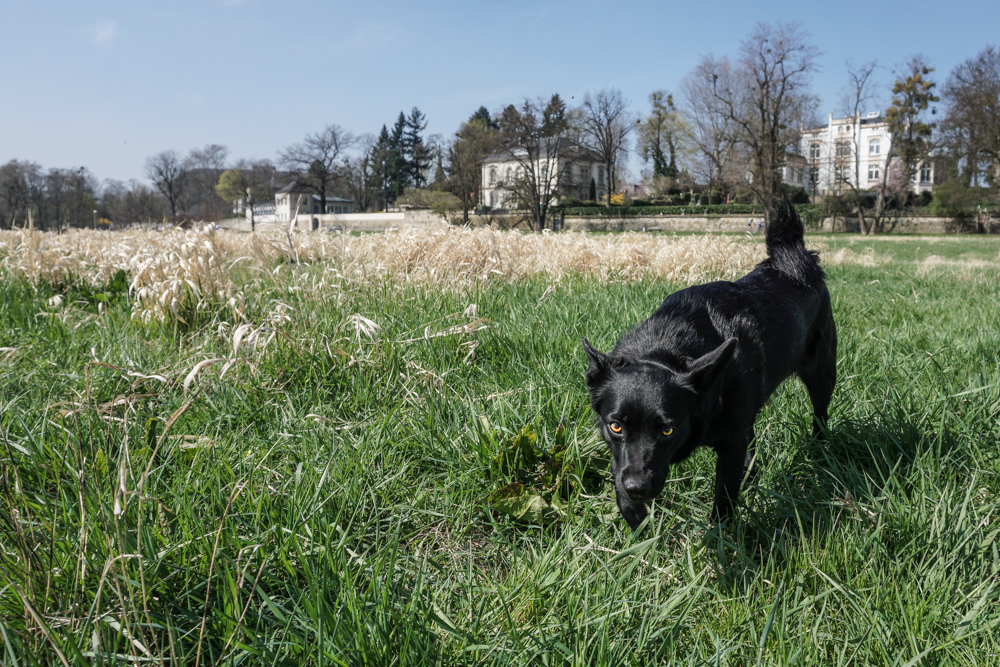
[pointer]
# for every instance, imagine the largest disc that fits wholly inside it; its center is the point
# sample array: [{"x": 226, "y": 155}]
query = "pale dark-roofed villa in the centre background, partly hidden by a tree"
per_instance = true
[{"x": 569, "y": 175}]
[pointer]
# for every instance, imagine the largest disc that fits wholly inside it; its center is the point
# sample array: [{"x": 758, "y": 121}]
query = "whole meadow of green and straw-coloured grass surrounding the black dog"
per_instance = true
[{"x": 317, "y": 463}]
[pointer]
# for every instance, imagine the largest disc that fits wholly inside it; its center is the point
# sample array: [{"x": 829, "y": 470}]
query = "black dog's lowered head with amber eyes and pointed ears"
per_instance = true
[{"x": 649, "y": 411}]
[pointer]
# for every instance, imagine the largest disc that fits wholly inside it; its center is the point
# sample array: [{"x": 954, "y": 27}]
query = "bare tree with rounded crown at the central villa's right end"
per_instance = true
[{"x": 604, "y": 123}]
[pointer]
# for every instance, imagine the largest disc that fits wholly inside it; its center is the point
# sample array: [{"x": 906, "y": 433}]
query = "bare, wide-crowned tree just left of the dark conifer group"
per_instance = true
[{"x": 317, "y": 162}]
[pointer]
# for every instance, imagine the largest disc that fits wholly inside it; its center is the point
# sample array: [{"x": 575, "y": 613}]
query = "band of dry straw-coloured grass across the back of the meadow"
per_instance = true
[{"x": 175, "y": 269}]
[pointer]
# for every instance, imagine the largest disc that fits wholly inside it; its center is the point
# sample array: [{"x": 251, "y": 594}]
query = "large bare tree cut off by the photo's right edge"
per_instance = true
[{"x": 971, "y": 125}]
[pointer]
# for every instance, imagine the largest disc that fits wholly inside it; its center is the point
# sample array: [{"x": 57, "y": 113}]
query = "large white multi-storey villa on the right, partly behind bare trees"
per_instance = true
[{"x": 853, "y": 150}]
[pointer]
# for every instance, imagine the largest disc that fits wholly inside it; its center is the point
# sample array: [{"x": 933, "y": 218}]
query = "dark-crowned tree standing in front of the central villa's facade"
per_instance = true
[{"x": 535, "y": 137}]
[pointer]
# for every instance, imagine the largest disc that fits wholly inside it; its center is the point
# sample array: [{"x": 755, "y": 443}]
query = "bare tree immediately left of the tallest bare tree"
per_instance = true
[{"x": 713, "y": 130}]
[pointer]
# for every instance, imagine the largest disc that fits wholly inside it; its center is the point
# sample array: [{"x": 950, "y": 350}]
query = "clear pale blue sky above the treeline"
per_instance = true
[{"x": 106, "y": 83}]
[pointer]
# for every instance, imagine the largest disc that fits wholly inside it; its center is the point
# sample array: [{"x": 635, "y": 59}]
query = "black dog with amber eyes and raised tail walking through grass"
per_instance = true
[{"x": 698, "y": 371}]
